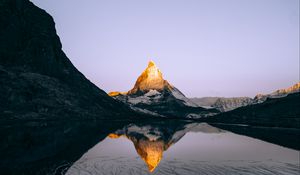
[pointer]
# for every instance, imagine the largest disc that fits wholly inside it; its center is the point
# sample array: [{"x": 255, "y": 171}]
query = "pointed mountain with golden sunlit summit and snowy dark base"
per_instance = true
[{"x": 152, "y": 94}]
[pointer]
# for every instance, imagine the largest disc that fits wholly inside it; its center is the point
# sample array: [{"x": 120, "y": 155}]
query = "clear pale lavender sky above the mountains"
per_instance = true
[{"x": 203, "y": 47}]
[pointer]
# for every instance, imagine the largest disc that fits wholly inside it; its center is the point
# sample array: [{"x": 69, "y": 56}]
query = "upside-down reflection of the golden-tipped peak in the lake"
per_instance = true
[{"x": 151, "y": 140}]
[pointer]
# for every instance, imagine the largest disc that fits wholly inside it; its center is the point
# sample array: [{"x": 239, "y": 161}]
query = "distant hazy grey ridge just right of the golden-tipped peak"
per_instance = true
[{"x": 223, "y": 104}]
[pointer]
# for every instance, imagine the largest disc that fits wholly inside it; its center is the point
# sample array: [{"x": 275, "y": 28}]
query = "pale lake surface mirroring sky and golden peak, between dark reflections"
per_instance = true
[{"x": 186, "y": 148}]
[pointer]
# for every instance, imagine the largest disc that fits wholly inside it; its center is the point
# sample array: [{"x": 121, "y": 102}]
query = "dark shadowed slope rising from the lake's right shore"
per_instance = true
[{"x": 273, "y": 112}]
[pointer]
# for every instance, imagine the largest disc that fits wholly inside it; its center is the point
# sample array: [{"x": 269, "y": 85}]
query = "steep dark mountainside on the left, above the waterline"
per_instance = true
[{"x": 37, "y": 79}]
